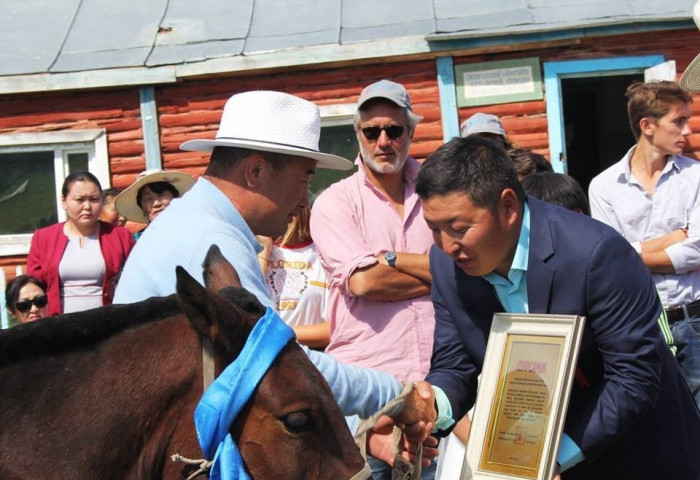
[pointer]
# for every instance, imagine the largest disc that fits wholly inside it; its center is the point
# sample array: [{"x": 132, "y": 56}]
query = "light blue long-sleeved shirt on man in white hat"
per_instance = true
[{"x": 182, "y": 235}]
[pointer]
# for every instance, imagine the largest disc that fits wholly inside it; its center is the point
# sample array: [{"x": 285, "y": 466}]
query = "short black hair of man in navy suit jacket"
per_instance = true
[{"x": 474, "y": 165}]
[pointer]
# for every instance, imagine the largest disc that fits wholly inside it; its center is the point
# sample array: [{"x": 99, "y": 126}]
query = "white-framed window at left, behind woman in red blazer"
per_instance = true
[{"x": 34, "y": 166}]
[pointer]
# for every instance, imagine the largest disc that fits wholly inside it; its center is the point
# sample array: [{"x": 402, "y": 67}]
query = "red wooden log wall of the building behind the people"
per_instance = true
[{"x": 193, "y": 109}]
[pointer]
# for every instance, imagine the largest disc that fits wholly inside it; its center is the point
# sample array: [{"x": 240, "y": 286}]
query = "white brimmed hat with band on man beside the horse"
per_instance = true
[{"x": 271, "y": 122}]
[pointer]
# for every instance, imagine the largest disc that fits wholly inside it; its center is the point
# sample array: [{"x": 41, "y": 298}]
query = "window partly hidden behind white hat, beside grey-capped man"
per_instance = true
[{"x": 338, "y": 138}]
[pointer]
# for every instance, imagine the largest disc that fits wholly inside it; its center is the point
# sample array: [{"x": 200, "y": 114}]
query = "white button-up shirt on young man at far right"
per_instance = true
[{"x": 619, "y": 200}]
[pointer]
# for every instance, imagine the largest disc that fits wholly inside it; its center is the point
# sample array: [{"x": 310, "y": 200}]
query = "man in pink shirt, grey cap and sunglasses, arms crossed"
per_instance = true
[{"x": 374, "y": 243}]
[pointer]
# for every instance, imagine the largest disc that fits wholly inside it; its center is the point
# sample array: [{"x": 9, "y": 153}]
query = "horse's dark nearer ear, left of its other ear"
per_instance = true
[{"x": 196, "y": 302}]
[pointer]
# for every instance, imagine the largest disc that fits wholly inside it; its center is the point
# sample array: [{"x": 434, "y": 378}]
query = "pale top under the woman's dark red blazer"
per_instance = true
[{"x": 82, "y": 272}]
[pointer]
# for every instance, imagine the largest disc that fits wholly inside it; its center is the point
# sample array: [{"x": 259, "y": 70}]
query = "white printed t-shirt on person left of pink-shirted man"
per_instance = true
[{"x": 297, "y": 284}]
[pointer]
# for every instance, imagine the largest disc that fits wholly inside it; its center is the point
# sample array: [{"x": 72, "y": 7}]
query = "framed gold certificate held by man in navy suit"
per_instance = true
[{"x": 523, "y": 395}]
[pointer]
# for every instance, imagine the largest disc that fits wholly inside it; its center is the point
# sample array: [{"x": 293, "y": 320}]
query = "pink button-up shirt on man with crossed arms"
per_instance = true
[{"x": 352, "y": 222}]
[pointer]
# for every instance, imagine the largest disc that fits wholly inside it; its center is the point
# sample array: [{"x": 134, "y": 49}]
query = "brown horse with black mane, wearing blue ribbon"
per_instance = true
[{"x": 110, "y": 393}]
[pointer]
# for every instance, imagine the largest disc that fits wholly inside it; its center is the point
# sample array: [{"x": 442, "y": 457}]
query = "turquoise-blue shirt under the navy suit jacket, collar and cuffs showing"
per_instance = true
[{"x": 512, "y": 293}]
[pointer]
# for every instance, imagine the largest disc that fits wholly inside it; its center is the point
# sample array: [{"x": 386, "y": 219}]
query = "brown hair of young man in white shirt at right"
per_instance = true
[{"x": 653, "y": 99}]
